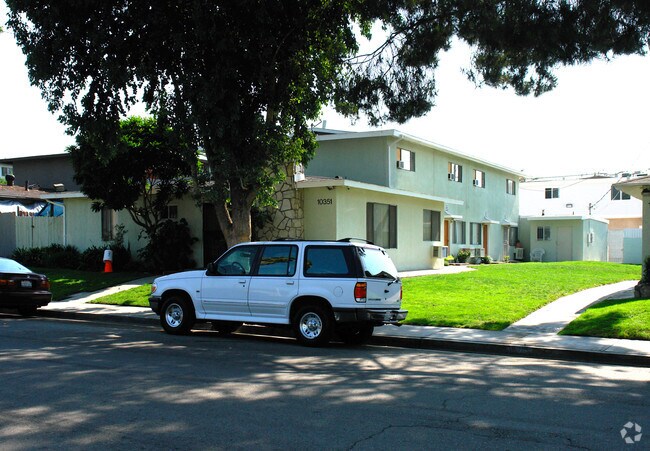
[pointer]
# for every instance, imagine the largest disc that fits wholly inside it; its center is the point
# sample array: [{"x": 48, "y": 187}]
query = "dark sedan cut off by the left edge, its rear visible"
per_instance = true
[{"x": 22, "y": 289}]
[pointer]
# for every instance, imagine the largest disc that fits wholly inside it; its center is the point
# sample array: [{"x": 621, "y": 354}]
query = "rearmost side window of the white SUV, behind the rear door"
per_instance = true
[{"x": 329, "y": 261}]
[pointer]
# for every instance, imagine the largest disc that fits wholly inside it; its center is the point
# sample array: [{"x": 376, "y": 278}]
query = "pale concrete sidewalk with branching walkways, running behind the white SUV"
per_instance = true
[{"x": 534, "y": 335}]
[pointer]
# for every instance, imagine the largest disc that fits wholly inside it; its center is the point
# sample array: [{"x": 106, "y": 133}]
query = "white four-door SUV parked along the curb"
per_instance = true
[{"x": 319, "y": 288}]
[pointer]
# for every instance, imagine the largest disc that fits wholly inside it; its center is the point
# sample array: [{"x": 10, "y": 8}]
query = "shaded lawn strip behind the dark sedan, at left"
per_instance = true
[{"x": 66, "y": 282}]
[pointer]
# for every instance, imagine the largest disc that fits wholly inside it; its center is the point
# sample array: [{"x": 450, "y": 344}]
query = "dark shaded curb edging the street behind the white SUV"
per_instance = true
[{"x": 401, "y": 342}]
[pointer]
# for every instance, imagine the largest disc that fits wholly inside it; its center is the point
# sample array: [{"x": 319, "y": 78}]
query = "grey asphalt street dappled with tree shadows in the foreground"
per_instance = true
[{"x": 88, "y": 385}]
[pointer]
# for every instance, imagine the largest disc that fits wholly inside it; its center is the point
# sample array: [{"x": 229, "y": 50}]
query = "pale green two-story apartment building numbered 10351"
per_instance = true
[{"x": 417, "y": 199}]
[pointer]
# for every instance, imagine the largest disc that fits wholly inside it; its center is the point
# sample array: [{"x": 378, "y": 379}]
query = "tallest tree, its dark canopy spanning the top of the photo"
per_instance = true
[{"x": 243, "y": 79}]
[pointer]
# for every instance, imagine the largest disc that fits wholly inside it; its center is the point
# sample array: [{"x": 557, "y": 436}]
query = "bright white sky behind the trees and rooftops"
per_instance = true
[{"x": 595, "y": 120}]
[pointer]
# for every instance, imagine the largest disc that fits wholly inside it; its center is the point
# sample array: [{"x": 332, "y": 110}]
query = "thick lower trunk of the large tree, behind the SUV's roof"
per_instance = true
[{"x": 235, "y": 218}]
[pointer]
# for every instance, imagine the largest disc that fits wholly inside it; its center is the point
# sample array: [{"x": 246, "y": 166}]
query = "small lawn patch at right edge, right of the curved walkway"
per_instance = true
[{"x": 616, "y": 318}]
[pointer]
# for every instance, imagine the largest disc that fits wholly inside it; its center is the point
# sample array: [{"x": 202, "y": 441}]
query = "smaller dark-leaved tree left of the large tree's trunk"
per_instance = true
[{"x": 141, "y": 172}]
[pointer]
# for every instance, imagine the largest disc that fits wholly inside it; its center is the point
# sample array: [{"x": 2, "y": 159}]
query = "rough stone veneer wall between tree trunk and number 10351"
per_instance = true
[{"x": 287, "y": 219}]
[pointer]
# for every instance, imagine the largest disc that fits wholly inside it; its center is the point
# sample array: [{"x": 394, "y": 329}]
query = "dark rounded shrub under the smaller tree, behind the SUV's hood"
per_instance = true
[{"x": 170, "y": 249}]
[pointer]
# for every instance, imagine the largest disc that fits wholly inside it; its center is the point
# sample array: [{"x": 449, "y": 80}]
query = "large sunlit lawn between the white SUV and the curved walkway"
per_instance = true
[{"x": 495, "y": 296}]
